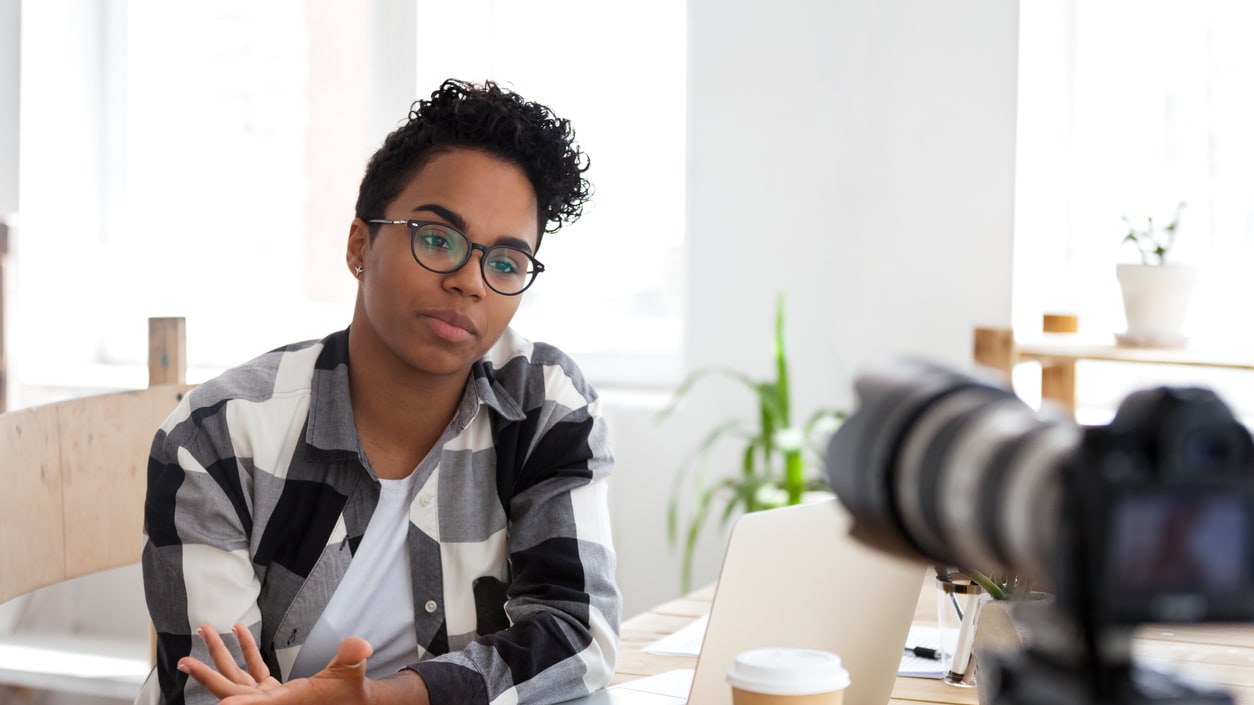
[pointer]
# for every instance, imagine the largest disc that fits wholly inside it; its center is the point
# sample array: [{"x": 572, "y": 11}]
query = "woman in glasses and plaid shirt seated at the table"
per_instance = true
[{"x": 412, "y": 510}]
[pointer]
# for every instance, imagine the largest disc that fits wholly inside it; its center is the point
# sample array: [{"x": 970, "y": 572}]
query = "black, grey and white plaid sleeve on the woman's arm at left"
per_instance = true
[{"x": 196, "y": 563}]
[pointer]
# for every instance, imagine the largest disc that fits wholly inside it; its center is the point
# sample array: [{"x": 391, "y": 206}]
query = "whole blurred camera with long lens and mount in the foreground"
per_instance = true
[{"x": 1149, "y": 519}]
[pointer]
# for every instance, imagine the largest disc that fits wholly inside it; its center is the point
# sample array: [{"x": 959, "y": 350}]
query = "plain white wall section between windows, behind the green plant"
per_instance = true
[{"x": 857, "y": 156}]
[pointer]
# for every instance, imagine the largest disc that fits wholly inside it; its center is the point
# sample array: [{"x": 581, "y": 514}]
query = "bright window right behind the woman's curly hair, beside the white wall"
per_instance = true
[{"x": 611, "y": 293}]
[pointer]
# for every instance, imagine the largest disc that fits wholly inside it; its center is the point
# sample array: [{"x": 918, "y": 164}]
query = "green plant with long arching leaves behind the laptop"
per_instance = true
[{"x": 779, "y": 462}]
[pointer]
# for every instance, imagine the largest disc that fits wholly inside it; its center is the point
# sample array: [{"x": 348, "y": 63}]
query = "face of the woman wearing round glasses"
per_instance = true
[{"x": 440, "y": 324}]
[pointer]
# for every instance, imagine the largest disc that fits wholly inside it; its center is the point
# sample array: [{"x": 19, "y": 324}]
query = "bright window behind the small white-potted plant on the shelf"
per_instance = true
[{"x": 1129, "y": 107}]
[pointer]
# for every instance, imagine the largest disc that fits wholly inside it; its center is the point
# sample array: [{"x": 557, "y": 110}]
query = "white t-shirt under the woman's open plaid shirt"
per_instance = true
[{"x": 376, "y": 600}]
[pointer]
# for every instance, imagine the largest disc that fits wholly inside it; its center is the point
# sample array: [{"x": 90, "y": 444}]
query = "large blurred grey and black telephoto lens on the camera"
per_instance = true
[{"x": 952, "y": 467}]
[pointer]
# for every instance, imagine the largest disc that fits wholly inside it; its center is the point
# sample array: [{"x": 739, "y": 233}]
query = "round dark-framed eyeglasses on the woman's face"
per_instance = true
[{"x": 445, "y": 250}]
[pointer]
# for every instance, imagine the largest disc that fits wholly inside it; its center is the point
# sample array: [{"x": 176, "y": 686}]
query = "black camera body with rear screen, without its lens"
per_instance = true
[{"x": 1158, "y": 515}]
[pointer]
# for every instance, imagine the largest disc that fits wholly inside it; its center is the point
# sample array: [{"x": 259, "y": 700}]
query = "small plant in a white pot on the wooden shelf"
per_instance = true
[{"x": 1156, "y": 293}]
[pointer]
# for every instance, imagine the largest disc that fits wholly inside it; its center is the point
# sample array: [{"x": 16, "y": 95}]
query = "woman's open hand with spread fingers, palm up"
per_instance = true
[{"x": 343, "y": 682}]
